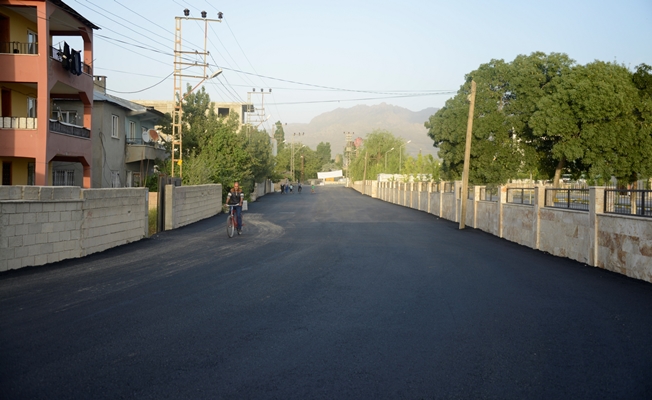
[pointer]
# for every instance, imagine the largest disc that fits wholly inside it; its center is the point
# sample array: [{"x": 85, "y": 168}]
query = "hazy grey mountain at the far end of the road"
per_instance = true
[{"x": 362, "y": 119}]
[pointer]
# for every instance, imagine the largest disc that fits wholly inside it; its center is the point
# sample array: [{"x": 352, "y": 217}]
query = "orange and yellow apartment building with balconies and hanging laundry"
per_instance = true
[{"x": 36, "y": 140}]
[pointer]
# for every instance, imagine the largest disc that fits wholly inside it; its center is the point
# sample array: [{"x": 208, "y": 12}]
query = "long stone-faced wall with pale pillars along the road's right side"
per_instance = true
[{"x": 620, "y": 243}]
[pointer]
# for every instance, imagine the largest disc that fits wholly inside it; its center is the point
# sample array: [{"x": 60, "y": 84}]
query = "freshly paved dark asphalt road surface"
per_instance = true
[{"x": 333, "y": 295}]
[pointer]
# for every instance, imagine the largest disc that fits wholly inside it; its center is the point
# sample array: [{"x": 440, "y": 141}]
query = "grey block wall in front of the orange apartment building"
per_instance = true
[{"x": 42, "y": 224}]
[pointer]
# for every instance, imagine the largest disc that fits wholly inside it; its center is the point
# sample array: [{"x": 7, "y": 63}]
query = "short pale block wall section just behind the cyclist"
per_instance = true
[{"x": 188, "y": 204}]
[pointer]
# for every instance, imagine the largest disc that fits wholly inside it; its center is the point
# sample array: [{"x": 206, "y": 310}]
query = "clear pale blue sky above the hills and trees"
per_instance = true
[{"x": 319, "y": 56}]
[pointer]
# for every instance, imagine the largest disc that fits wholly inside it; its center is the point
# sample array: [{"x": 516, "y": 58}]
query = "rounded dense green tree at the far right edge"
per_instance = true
[{"x": 589, "y": 119}]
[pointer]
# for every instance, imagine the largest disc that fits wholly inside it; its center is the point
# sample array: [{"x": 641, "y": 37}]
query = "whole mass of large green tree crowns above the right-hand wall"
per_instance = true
[{"x": 541, "y": 115}]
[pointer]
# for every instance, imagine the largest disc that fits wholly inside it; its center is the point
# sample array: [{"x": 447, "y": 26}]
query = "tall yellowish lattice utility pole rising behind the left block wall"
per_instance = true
[{"x": 179, "y": 65}]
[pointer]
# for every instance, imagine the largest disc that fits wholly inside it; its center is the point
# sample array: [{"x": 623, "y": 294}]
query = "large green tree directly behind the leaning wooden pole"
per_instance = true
[{"x": 506, "y": 96}]
